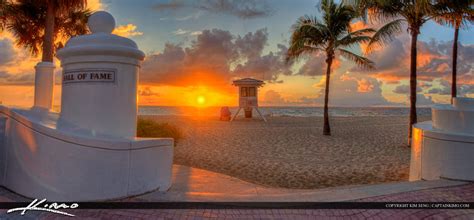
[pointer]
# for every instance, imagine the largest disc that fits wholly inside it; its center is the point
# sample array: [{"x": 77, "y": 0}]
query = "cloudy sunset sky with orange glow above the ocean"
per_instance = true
[{"x": 196, "y": 48}]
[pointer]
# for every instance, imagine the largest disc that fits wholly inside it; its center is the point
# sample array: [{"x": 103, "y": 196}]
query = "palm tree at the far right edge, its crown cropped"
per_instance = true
[{"x": 455, "y": 14}]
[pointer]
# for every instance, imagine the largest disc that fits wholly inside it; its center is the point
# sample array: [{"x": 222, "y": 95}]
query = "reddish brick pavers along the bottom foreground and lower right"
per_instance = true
[{"x": 463, "y": 193}]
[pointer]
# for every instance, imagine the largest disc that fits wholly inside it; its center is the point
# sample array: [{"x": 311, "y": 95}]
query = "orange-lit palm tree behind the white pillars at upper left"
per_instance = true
[{"x": 45, "y": 23}]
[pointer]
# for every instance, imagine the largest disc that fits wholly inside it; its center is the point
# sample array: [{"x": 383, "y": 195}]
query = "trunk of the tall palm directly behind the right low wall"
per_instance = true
[{"x": 413, "y": 83}]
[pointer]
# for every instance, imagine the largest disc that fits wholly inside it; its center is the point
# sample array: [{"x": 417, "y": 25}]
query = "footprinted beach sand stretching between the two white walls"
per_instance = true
[{"x": 291, "y": 152}]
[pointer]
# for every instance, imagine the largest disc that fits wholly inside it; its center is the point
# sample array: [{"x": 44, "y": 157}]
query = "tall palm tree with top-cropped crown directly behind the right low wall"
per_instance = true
[{"x": 412, "y": 12}]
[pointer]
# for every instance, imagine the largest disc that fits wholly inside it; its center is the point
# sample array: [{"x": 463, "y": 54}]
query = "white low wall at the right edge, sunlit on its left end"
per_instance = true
[{"x": 437, "y": 154}]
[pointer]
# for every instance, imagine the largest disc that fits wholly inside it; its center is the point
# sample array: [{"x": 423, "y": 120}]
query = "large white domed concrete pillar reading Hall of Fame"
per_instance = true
[{"x": 100, "y": 80}]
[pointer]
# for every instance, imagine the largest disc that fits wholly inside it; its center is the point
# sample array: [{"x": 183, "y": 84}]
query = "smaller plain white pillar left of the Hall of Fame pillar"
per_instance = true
[{"x": 44, "y": 85}]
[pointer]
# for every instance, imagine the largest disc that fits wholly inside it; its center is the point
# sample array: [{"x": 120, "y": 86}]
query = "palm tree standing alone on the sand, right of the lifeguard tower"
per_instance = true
[{"x": 331, "y": 35}]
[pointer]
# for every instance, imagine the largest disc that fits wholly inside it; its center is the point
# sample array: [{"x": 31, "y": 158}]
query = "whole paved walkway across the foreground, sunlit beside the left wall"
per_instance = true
[{"x": 190, "y": 184}]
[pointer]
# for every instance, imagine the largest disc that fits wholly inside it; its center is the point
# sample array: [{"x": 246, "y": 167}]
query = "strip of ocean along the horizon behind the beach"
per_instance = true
[{"x": 285, "y": 111}]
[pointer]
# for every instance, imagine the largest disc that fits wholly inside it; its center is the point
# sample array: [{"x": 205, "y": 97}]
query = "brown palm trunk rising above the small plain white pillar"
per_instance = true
[{"x": 48, "y": 40}]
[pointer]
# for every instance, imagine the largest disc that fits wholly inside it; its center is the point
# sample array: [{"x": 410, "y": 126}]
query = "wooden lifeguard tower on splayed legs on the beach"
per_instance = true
[{"x": 248, "y": 96}]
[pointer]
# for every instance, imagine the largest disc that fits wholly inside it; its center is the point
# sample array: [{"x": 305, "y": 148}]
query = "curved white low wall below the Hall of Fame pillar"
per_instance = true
[{"x": 44, "y": 162}]
